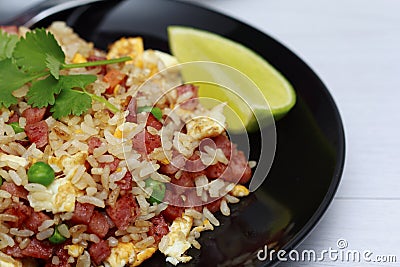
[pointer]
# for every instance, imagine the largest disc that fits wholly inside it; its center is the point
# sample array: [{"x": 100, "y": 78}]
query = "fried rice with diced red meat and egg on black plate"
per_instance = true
[{"x": 99, "y": 200}]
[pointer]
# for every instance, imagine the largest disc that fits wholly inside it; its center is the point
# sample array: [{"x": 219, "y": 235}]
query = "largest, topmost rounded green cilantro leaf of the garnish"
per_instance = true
[{"x": 32, "y": 52}]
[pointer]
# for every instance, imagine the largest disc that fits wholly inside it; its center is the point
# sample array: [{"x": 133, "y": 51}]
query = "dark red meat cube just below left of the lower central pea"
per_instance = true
[{"x": 124, "y": 212}]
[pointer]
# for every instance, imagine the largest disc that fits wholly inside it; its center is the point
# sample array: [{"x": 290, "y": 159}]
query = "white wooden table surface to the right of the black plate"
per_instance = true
[{"x": 354, "y": 46}]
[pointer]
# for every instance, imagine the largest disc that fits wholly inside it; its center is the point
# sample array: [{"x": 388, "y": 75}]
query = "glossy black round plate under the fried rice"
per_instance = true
[{"x": 310, "y": 149}]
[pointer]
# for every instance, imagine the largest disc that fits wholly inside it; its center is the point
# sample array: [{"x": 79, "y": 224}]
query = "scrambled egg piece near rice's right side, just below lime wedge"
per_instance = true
[{"x": 203, "y": 127}]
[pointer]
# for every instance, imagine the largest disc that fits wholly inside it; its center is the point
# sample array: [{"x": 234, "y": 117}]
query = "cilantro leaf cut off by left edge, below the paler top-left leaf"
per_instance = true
[{"x": 11, "y": 79}]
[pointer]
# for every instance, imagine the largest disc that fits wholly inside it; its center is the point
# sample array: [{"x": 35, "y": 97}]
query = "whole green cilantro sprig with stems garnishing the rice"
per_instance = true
[{"x": 38, "y": 59}]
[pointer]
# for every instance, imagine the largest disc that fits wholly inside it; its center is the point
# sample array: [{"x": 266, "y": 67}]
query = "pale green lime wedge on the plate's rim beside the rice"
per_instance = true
[{"x": 189, "y": 44}]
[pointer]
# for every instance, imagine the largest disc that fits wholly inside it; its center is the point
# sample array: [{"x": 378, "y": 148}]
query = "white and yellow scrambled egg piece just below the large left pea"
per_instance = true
[{"x": 62, "y": 195}]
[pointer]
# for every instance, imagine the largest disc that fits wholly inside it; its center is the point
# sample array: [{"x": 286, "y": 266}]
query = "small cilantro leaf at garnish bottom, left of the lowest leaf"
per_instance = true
[{"x": 41, "y": 93}]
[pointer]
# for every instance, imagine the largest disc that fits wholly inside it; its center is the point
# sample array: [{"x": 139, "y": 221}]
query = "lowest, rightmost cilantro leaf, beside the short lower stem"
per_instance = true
[{"x": 71, "y": 102}]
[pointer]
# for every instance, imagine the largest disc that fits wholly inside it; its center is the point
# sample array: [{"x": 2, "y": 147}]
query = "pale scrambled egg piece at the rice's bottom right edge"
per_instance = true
[{"x": 176, "y": 242}]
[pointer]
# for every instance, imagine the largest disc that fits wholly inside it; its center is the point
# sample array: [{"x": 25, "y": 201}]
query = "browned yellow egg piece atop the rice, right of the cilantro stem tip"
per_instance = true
[{"x": 132, "y": 47}]
